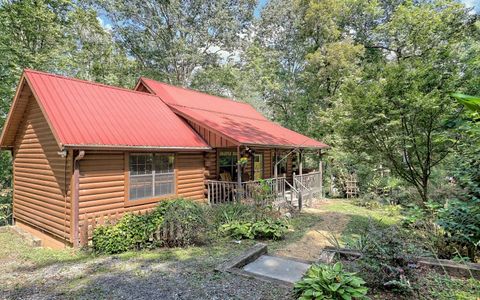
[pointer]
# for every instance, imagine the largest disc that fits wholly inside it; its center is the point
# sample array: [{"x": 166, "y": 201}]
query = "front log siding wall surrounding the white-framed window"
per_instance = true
[{"x": 104, "y": 183}]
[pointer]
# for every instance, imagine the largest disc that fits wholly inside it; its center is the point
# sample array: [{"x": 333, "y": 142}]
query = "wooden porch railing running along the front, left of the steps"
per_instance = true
[{"x": 227, "y": 191}]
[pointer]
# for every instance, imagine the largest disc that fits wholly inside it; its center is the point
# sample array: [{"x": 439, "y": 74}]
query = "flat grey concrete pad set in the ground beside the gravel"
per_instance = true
[{"x": 277, "y": 268}]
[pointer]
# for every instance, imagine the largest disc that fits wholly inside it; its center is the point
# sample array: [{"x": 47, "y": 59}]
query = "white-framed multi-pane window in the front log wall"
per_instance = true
[{"x": 151, "y": 175}]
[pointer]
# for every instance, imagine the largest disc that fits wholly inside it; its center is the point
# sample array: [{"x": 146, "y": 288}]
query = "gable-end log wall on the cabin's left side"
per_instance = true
[{"x": 41, "y": 176}]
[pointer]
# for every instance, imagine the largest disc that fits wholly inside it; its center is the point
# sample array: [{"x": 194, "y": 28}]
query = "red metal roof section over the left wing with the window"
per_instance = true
[{"x": 83, "y": 113}]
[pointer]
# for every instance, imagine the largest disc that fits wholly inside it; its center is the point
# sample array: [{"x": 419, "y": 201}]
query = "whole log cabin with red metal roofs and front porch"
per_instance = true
[{"x": 83, "y": 150}]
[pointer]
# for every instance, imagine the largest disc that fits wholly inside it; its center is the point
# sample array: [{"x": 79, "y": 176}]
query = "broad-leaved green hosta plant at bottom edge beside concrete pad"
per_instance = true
[{"x": 330, "y": 282}]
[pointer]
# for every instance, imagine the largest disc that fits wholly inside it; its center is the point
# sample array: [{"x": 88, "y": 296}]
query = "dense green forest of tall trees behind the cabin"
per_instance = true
[{"x": 373, "y": 79}]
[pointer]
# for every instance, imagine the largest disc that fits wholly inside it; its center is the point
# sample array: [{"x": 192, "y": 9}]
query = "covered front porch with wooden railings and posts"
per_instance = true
[{"x": 243, "y": 174}]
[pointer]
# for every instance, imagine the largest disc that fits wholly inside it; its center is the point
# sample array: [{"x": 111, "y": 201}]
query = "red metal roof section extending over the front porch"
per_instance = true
[{"x": 236, "y": 120}]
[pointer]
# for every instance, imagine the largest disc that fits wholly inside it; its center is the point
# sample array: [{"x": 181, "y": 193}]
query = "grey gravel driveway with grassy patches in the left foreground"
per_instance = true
[{"x": 148, "y": 275}]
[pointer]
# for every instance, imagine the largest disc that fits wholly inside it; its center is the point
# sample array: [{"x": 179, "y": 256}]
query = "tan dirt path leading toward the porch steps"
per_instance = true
[{"x": 310, "y": 245}]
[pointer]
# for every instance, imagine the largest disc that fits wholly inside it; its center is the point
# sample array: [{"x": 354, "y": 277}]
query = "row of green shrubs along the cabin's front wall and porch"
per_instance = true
[{"x": 180, "y": 223}]
